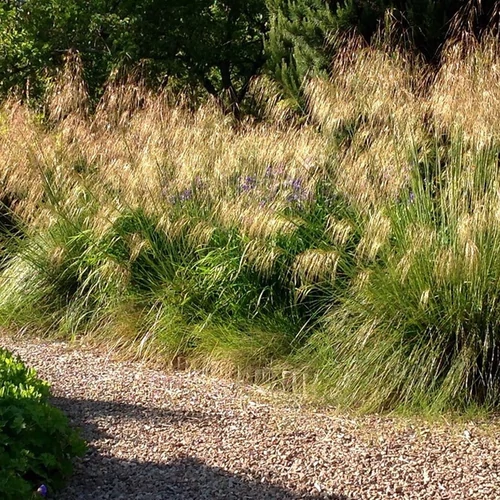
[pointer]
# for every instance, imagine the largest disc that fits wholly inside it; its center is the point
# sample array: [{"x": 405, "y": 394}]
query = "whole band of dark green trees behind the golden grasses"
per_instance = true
[{"x": 214, "y": 46}]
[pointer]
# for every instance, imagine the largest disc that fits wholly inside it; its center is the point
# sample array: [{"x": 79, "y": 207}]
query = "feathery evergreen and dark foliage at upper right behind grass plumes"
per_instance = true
[{"x": 302, "y": 33}]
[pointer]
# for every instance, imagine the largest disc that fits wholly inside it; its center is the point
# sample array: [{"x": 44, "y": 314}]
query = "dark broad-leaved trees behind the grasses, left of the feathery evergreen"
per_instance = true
[{"x": 217, "y": 44}]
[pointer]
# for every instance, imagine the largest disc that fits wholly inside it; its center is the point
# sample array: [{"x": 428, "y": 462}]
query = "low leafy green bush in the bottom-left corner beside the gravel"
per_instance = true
[{"x": 36, "y": 442}]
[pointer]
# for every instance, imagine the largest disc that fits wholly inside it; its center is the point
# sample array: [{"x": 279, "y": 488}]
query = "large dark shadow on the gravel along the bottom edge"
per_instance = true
[{"x": 183, "y": 479}]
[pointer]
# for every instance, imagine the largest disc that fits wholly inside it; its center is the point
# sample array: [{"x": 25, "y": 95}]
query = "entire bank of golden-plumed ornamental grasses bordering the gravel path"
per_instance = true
[{"x": 357, "y": 247}]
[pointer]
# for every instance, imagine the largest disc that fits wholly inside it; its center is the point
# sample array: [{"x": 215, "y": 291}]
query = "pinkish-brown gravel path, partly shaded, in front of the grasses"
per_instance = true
[{"x": 185, "y": 436}]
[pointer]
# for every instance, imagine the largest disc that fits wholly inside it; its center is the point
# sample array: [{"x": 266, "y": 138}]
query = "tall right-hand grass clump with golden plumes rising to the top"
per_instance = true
[{"x": 418, "y": 328}]
